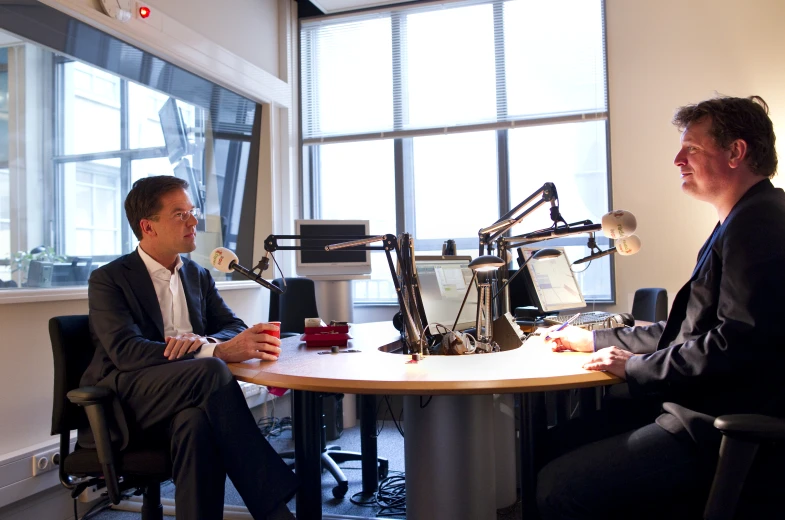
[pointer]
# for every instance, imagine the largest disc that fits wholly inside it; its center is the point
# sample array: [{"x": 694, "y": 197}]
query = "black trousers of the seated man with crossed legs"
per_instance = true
[{"x": 199, "y": 406}]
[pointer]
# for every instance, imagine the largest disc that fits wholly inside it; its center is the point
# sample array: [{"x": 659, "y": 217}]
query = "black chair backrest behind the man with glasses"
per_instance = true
[{"x": 72, "y": 350}]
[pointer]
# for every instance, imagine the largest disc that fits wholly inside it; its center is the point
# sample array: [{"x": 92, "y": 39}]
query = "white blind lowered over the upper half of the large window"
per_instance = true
[{"x": 452, "y": 67}]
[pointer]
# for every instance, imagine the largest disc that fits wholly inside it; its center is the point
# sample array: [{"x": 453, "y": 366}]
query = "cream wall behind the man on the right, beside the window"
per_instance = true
[{"x": 661, "y": 55}]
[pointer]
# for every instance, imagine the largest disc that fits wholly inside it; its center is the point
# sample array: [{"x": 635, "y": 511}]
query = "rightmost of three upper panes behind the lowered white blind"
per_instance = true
[{"x": 554, "y": 69}]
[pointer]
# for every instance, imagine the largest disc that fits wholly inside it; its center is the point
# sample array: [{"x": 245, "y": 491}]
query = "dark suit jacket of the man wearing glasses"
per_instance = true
[{"x": 127, "y": 326}]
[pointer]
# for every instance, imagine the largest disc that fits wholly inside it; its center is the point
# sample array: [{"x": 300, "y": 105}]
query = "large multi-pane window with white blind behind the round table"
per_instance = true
[{"x": 436, "y": 120}]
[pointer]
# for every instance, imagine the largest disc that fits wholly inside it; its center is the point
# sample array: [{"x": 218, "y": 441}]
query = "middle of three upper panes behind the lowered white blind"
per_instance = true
[{"x": 450, "y": 64}]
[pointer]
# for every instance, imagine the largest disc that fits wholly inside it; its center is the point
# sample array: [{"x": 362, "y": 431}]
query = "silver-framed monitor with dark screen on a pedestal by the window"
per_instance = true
[{"x": 315, "y": 261}]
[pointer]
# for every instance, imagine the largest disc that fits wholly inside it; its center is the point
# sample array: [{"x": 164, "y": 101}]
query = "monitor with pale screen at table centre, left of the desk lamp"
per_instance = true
[{"x": 443, "y": 284}]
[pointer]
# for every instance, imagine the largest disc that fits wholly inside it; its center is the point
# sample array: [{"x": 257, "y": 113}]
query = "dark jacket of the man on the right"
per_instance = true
[{"x": 722, "y": 349}]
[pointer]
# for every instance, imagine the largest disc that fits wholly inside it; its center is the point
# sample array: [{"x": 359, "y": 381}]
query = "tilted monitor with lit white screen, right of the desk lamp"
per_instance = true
[{"x": 552, "y": 283}]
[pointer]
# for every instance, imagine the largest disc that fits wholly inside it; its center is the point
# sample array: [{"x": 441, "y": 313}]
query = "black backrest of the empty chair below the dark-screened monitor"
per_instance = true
[{"x": 293, "y": 306}]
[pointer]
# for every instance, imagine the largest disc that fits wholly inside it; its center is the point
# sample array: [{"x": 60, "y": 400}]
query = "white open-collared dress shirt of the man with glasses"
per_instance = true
[{"x": 171, "y": 299}]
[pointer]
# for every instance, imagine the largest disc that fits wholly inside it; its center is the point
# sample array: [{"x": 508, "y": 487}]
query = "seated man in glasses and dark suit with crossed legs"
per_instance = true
[{"x": 163, "y": 336}]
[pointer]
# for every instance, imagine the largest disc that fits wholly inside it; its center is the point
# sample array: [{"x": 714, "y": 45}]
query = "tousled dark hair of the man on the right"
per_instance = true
[{"x": 737, "y": 118}]
